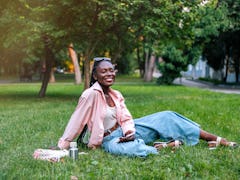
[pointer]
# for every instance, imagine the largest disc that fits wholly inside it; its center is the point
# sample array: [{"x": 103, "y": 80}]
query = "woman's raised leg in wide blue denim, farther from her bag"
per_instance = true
[{"x": 167, "y": 125}]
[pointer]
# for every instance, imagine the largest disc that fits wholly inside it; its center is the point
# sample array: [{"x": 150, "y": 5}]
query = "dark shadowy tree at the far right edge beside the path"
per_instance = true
[{"x": 222, "y": 50}]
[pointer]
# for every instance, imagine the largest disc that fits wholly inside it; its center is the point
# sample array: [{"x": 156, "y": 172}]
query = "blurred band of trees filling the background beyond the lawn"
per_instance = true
[{"x": 152, "y": 39}]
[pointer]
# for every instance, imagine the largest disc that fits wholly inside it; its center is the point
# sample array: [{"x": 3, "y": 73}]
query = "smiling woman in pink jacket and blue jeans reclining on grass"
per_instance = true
[{"x": 111, "y": 126}]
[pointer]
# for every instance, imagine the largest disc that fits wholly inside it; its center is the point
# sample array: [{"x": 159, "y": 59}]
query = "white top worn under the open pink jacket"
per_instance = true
[{"x": 110, "y": 118}]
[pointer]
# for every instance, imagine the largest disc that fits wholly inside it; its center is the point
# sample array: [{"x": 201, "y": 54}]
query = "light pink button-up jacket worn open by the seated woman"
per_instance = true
[{"x": 91, "y": 110}]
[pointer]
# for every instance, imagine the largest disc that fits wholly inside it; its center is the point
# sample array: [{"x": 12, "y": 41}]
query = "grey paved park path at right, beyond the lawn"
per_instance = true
[{"x": 228, "y": 89}]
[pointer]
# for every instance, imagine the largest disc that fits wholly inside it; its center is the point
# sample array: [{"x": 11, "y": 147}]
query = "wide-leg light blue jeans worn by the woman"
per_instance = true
[{"x": 166, "y": 125}]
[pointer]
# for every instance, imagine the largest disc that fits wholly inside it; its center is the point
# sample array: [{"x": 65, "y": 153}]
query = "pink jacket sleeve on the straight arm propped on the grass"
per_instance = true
[{"x": 76, "y": 123}]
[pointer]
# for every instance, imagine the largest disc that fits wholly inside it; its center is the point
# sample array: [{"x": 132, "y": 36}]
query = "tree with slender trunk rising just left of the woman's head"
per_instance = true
[{"x": 95, "y": 26}]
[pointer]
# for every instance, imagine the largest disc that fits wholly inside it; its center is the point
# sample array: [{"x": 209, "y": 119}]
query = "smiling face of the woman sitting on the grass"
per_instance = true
[{"x": 105, "y": 74}]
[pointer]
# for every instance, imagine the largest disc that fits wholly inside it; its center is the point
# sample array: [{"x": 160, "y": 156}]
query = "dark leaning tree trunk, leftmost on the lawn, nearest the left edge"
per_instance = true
[{"x": 49, "y": 59}]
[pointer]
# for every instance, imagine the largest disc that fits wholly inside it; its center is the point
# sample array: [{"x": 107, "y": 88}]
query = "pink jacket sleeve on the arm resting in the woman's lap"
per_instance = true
[{"x": 126, "y": 120}]
